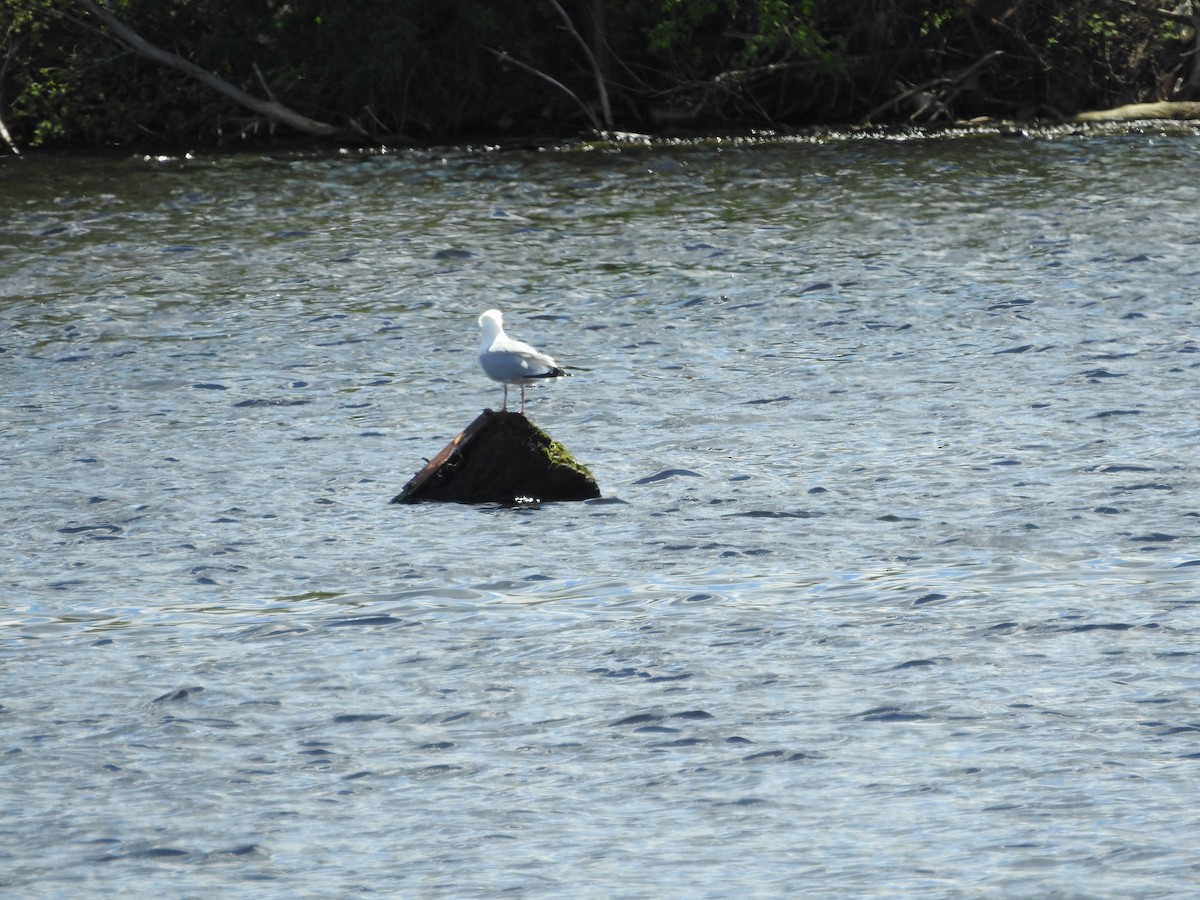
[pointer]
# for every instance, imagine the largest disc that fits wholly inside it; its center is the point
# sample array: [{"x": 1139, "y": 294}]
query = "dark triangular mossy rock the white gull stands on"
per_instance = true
[{"x": 501, "y": 458}]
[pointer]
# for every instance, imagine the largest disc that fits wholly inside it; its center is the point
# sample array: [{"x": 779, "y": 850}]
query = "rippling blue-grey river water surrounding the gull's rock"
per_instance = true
[{"x": 892, "y": 591}]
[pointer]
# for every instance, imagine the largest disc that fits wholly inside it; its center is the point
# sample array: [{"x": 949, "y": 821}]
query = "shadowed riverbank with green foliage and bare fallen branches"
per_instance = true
[{"x": 226, "y": 73}]
